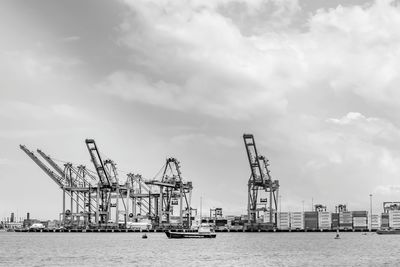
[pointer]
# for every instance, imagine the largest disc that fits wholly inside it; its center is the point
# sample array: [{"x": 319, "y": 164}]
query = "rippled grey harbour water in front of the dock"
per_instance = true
[{"x": 228, "y": 249}]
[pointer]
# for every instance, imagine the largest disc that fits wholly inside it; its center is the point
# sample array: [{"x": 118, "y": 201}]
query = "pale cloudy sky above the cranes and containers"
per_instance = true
[{"x": 316, "y": 82}]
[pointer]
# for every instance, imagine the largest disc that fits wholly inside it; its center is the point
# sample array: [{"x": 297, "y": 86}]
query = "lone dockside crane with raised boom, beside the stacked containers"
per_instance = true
[{"x": 262, "y": 190}]
